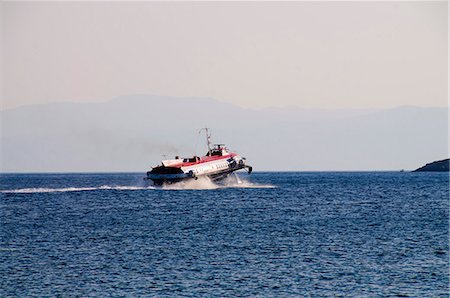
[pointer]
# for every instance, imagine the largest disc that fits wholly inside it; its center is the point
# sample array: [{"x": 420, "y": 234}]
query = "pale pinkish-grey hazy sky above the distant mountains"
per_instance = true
[{"x": 254, "y": 54}]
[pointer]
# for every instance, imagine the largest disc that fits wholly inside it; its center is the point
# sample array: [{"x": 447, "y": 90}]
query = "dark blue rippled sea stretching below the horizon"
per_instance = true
[{"x": 315, "y": 234}]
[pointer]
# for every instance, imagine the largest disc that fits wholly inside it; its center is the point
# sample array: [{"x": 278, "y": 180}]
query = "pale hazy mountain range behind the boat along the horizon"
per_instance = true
[{"x": 131, "y": 133}]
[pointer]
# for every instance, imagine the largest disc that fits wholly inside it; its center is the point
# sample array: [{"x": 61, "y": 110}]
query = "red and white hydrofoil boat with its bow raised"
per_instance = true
[{"x": 217, "y": 164}]
